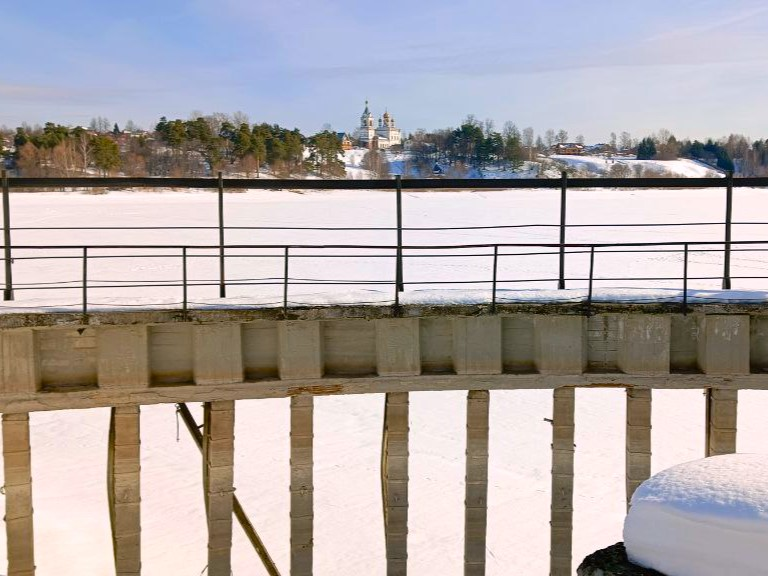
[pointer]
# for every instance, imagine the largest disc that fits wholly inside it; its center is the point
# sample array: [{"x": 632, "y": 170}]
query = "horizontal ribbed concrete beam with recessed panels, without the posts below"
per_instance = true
[{"x": 50, "y": 368}]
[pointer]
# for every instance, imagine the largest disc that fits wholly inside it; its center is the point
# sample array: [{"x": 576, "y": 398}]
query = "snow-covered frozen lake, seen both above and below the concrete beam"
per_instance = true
[{"x": 69, "y": 448}]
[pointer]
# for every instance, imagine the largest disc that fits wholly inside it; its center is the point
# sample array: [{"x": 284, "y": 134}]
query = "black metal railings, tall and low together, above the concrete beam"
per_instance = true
[{"x": 223, "y": 252}]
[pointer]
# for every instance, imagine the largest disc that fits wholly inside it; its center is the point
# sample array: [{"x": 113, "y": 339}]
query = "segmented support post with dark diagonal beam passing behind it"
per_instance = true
[{"x": 218, "y": 476}]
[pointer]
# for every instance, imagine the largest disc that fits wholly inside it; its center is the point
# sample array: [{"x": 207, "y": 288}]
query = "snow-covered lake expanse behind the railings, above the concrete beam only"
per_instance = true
[{"x": 521, "y": 277}]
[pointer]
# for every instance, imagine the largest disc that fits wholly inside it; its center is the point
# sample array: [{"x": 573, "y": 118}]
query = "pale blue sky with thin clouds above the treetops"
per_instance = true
[{"x": 695, "y": 67}]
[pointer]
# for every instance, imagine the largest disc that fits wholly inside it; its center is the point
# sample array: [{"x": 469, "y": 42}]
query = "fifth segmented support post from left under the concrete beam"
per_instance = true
[{"x": 395, "y": 482}]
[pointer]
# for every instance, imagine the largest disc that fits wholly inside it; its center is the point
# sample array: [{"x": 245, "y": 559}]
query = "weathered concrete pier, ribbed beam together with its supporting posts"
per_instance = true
[{"x": 129, "y": 359}]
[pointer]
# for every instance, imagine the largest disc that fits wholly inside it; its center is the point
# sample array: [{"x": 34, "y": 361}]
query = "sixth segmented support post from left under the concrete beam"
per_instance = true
[{"x": 476, "y": 500}]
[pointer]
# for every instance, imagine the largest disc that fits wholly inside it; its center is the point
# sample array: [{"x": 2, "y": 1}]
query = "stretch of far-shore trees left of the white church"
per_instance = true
[{"x": 195, "y": 147}]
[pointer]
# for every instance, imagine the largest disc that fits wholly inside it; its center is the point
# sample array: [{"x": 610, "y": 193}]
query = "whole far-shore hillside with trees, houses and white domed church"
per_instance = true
[{"x": 376, "y": 148}]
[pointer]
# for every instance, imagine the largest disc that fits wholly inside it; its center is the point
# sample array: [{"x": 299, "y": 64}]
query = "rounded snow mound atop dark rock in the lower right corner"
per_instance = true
[{"x": 703, "y": 518}]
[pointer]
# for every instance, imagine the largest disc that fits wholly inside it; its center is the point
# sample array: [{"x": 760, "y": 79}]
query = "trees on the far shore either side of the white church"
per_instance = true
[{"x": 205, "y": 144}]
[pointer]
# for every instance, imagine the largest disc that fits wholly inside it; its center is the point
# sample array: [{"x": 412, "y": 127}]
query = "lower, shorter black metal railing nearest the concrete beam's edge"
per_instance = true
[{"x": 392, "y": 287}]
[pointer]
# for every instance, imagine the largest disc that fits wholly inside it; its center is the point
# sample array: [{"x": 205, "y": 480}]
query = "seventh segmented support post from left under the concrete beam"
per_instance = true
[{"x": 561, "y": 524}]
